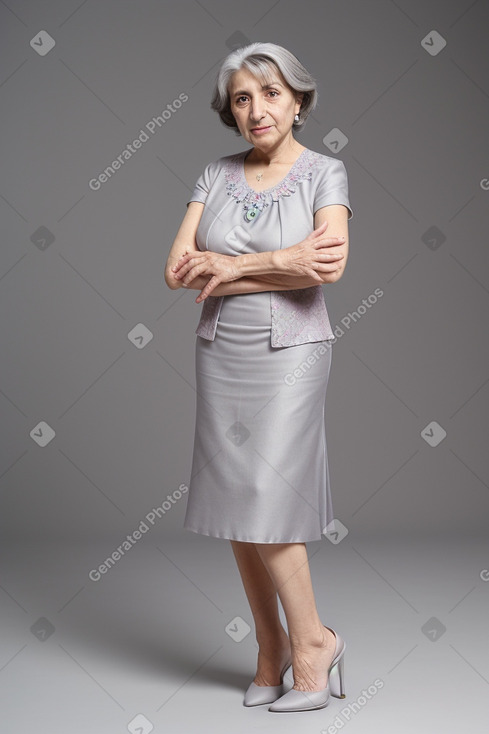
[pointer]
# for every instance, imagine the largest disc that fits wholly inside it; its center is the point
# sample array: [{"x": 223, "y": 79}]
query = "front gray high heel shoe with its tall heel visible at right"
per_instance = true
[{"x": 295, "y": 700}]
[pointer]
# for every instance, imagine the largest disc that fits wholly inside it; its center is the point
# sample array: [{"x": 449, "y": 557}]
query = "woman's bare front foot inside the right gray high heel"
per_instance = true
[{"x": 311, "y": 662}]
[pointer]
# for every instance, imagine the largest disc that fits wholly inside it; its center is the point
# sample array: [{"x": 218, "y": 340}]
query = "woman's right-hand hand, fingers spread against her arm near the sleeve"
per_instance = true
[{"x": 310, "y": 255}]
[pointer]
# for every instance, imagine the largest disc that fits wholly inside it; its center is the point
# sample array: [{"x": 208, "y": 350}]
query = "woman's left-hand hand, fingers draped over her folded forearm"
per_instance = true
[{"x": 222, "y": 268}]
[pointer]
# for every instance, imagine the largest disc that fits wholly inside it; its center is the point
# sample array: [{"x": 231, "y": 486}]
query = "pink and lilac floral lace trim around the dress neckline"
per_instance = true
[{"x": 238, "y": 187}]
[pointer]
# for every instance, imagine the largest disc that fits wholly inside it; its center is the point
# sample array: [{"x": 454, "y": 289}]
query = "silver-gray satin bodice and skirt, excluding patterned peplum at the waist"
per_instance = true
[{"x": 260, "y": 467}]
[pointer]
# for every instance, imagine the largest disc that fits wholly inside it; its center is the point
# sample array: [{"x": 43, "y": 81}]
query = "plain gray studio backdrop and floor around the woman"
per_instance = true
[{"x": 407, "y": 585}]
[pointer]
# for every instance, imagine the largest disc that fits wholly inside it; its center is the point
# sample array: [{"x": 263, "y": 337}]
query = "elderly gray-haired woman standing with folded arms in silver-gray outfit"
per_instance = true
[{"x": 254, "y": 243}]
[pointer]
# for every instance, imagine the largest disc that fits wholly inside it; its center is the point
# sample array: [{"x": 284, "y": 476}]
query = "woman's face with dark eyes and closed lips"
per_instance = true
[{"x": 264, "y": 116}]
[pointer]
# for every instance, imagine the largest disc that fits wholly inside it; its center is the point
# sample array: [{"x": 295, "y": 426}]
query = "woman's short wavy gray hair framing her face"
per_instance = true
[{"x": 260, "y": 59}]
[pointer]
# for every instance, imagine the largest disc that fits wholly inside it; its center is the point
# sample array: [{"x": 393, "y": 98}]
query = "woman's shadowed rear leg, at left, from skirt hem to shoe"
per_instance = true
[{"x": 274, "y": 645}]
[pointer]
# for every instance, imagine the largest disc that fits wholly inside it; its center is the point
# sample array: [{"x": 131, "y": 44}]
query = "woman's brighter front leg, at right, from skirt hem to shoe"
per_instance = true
[{"x": 312, "y": 644}]
